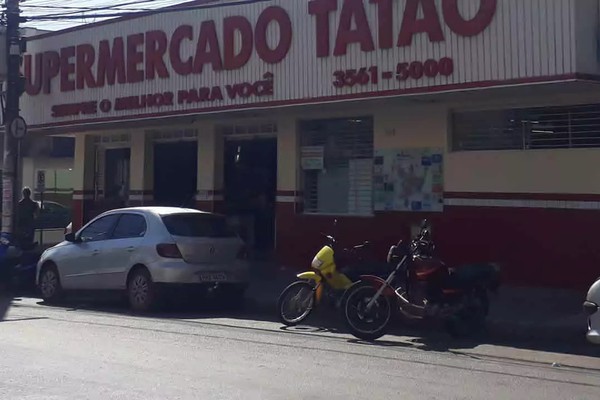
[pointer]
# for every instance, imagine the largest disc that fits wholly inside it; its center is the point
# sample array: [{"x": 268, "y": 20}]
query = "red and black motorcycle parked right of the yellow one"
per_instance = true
[{"x": 421, "y": 286}]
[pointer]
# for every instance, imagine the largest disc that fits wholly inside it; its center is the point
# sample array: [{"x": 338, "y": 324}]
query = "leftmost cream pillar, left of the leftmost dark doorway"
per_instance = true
[{"x": 83, "y": 179}]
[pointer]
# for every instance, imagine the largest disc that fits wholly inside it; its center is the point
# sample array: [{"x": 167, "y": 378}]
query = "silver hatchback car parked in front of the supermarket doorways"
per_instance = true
[{"x": 140, "y": 250}]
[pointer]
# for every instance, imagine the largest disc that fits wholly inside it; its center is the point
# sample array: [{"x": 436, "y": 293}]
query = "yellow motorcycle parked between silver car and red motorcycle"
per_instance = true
[{"x": 323, "y": 281}]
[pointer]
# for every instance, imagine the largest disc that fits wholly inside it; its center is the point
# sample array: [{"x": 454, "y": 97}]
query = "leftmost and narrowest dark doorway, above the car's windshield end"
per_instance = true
[{"x": 116, "y": 184}]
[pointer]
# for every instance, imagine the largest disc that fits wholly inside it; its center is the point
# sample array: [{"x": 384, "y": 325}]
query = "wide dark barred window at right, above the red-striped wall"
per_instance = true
[{"x": 560, "y": 127}]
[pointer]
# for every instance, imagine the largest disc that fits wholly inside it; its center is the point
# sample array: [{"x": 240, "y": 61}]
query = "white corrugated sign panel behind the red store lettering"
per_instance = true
[{"x": 524, "y": 40}]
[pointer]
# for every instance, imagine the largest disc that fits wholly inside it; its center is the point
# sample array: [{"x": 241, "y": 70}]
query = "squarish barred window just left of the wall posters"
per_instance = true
[{"x": 344, "y": 184}]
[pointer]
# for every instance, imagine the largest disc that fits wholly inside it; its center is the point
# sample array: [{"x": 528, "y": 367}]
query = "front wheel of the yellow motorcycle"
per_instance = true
[{"x": 302, "y": 298}]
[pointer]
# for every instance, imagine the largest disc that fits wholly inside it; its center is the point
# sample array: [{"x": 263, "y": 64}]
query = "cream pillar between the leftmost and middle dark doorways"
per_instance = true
[{"x": 141, "y": 178}]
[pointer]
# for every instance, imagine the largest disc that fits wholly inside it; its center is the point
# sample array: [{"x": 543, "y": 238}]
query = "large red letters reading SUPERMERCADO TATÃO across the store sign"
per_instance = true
[{"x": 154, "y": 54}]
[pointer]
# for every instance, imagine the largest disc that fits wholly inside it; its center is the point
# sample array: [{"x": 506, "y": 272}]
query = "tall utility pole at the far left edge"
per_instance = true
[{"x": 14, "y": 87}]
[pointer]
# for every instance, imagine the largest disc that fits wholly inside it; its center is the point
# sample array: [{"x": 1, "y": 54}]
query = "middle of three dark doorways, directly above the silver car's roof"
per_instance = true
[{"x": 175, "y": 174}]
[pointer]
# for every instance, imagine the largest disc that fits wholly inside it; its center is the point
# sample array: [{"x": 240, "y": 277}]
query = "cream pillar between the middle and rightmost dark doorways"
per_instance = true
[{"x": 210, "y": 169}]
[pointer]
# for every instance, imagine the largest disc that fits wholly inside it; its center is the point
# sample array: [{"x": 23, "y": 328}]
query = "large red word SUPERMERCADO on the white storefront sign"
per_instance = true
[{"x": 144, "y": 56}]
